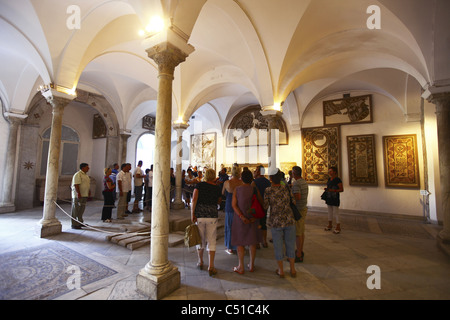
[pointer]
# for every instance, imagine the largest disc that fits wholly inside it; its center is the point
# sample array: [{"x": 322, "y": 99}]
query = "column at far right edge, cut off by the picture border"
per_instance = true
[{"x": 442, "y": 102}]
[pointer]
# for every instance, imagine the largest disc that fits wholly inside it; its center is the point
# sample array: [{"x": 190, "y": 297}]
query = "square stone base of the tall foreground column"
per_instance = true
[{"x": 157, "y": 287}]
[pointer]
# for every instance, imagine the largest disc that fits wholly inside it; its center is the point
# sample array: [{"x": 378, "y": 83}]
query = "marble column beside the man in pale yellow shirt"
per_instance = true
[{"x": 49, "y": 224}]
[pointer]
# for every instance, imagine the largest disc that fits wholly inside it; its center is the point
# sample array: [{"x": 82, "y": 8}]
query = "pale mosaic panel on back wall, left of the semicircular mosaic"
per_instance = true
[{"x": 203, "y": 150}]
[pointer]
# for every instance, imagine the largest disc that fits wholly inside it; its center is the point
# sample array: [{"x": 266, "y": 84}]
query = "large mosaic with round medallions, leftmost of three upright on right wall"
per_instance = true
[{"x": 320, "y": 151}]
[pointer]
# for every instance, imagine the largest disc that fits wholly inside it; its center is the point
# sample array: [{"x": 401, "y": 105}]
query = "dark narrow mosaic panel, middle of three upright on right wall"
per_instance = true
[{"x": 362, "y": 166}]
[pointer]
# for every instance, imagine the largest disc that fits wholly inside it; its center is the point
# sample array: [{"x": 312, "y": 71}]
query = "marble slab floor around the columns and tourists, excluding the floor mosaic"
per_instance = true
[{"x": 335, "y": 267}]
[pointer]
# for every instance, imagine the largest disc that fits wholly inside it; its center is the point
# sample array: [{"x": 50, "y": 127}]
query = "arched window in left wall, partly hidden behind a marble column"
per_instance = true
[{"x": 69, "y": 151}]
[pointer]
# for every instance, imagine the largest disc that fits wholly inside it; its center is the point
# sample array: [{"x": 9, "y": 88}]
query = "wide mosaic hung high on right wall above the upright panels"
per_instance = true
[{"x": 348, "y": 110}]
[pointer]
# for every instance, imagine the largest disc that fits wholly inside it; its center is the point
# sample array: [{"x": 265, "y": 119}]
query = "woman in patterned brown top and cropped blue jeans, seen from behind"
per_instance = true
[{"x": 281, "y": 222}]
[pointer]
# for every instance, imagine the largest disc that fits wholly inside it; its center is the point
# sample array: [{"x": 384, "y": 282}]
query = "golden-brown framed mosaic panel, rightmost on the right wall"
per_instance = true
[{"x": 401, "y": 167}]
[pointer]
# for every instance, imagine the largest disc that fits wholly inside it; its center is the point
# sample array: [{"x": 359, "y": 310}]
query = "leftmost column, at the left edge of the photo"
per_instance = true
[{"x": 7, "y": 203}]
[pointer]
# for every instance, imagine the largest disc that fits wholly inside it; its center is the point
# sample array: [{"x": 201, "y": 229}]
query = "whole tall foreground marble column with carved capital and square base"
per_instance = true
[{"x": 160, "y": 277}]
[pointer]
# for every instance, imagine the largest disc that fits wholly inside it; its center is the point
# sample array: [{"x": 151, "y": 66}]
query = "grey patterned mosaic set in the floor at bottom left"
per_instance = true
[{"x": 46, "y": 272}]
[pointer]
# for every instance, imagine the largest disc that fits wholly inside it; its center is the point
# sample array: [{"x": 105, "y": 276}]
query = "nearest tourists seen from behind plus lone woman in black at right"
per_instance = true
[{"x": 242, "y": 230}]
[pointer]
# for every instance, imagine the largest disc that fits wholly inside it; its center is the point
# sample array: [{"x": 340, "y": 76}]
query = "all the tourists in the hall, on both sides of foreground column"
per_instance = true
[{"x": 204, "y": 195}]
